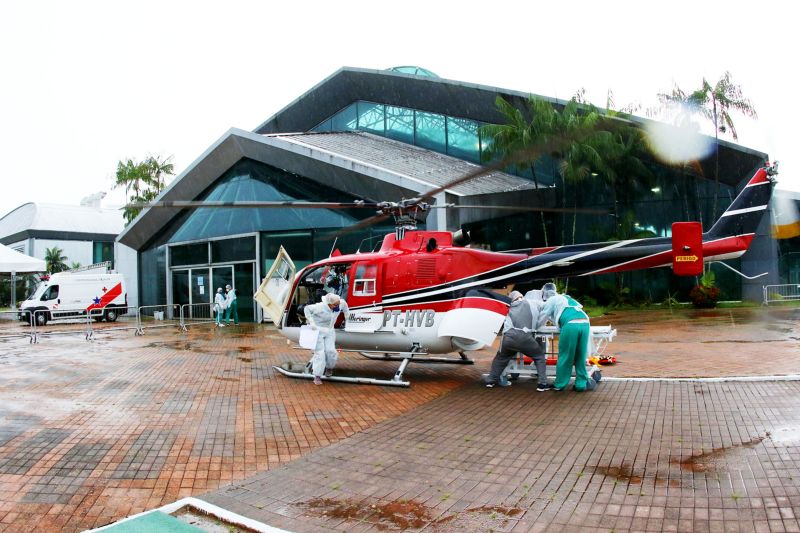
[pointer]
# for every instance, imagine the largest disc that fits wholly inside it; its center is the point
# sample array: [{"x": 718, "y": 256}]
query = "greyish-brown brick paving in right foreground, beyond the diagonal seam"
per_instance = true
[{"x": 629, "y": 456}]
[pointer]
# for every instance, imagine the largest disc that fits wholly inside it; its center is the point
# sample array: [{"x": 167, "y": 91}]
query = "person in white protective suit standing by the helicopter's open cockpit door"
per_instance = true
[{"x": 322, "y": 317}]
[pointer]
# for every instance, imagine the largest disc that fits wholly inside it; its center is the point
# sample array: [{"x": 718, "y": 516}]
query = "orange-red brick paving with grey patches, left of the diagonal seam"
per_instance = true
[{"x": 91, "y": 432}]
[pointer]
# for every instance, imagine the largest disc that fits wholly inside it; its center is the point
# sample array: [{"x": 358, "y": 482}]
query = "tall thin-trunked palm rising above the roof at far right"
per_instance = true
[{"x": 715, "y": 103}]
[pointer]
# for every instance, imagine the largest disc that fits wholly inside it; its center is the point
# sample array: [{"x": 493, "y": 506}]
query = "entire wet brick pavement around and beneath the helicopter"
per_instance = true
[{"x": 91, "y": 432}]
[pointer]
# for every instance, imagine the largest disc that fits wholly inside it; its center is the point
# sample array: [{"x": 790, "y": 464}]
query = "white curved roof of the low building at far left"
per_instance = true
[{"x": 71, "y": 221}]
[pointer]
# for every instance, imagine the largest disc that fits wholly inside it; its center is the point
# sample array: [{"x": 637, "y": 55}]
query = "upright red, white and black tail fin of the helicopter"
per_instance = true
[{"x": 746, "y": 211}]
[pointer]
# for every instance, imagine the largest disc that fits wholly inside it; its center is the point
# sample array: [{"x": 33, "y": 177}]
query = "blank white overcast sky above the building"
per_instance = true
[{"x": 85, "y": 84}]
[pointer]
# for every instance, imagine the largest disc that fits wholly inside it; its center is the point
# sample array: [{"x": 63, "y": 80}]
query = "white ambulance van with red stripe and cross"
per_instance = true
[{"x": 73, "y": 294}]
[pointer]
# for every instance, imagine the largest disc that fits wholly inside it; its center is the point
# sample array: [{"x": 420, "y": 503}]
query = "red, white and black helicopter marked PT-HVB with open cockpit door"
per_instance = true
[{"x": 422, "y": 294}]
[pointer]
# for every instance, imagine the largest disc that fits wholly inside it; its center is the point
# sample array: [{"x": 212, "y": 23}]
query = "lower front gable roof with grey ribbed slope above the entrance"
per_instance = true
[{"x": 358, "y": 163}]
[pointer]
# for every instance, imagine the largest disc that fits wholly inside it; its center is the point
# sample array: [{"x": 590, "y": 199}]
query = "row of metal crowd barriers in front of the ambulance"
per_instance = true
[{"x": 46, "y": 322}]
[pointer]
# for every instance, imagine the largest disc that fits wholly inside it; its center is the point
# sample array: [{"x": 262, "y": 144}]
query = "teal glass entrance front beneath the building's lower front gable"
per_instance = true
[{"x": 208, "y": 248}]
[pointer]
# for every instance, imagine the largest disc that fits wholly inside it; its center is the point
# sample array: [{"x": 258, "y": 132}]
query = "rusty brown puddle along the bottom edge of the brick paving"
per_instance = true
[{"x": 409, "y": 514}]
